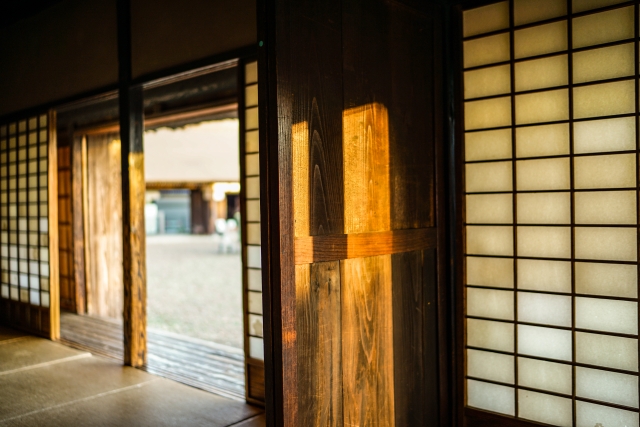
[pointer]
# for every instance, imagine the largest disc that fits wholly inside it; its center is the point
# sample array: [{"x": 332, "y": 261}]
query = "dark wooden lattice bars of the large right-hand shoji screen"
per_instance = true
[{"x": 475, "y": 416}]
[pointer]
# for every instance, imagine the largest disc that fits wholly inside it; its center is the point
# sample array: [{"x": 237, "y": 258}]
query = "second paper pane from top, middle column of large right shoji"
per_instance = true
[{"x": 540, "y": 39}]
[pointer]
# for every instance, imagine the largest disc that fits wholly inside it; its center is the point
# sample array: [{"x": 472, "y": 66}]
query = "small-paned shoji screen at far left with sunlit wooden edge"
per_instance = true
[{"x": 28, "y": 225}]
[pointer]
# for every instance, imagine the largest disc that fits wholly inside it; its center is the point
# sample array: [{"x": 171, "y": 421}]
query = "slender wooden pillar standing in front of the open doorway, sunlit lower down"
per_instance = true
[{"x": 133, "y": 189}]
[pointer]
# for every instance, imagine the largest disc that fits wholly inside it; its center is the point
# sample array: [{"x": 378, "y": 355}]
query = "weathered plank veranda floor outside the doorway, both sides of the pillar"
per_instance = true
[{"x": 208, "y": 366}]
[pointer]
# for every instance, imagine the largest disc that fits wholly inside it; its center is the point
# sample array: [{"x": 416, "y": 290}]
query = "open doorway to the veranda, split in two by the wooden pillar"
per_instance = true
[{"x": 204, "y": 311}]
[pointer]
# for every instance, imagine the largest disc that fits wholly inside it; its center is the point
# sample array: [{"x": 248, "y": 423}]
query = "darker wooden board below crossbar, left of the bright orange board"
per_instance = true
[{"x": 319, "y": 344}]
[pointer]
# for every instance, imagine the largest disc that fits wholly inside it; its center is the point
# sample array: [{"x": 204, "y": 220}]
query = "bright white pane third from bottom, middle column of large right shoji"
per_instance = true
[{"x": 544, "y": 342}]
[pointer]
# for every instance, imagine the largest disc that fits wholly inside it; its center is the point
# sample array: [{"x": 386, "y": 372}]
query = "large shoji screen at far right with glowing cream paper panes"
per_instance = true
[{"x": 551, "y": 150}]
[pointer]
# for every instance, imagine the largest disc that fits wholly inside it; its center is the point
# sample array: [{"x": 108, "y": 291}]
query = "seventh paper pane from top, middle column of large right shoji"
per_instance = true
[{"x": 544, "y": 208}]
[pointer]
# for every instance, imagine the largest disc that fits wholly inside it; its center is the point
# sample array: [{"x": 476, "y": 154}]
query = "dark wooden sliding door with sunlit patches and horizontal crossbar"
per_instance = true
[{"x": 356, "y": 258}]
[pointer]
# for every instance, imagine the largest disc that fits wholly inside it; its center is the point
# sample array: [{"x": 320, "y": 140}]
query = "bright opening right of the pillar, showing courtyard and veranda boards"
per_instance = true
[{"x": 194, "y": 264}]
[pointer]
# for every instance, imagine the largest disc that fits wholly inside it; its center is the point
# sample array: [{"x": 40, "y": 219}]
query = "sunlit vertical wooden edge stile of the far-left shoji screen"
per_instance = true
[{"x": 52, "y": 323}]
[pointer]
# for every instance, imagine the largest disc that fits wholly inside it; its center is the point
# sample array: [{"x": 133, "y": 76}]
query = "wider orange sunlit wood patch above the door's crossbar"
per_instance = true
[{"x": 366, "y": 169}]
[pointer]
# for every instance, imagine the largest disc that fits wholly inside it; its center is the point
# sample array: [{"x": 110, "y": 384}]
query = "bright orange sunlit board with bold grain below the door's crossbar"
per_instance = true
[{"x": 367, "y": 342}]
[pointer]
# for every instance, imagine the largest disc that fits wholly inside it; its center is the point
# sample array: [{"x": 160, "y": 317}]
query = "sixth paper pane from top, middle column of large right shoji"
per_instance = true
[{"x": 543, "y": 174}]
